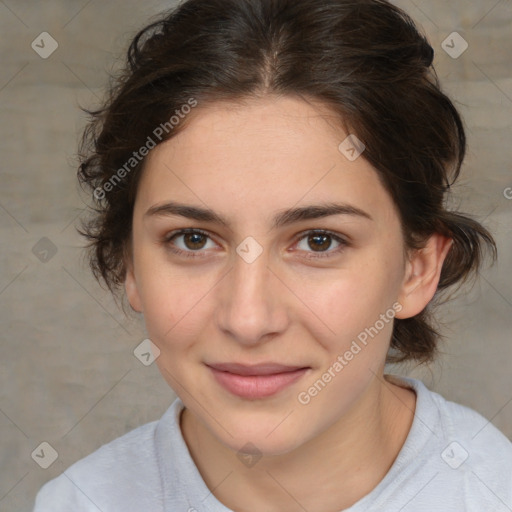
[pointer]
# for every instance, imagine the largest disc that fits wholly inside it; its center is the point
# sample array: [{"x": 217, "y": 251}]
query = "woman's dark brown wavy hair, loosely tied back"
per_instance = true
[{"x": 365, "y": 59}]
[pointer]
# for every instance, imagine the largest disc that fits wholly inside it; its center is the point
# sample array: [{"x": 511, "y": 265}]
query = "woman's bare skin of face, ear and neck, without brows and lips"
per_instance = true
[{"x": 248, "y": 161}]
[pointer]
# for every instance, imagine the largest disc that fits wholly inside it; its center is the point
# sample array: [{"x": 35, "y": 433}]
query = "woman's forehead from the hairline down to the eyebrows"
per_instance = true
[{"x": 258, "y": 157}]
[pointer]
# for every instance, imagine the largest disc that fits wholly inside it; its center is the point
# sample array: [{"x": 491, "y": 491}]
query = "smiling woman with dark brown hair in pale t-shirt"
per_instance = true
[{"x": 269, "y": 178}]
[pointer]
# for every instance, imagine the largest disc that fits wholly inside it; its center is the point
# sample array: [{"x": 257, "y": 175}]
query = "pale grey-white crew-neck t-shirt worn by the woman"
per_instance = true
[{"x": 452, "y": 460}]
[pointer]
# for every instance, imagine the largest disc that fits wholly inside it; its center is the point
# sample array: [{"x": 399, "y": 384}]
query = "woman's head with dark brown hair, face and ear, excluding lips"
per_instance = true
[{"x": 324, "y": 125}]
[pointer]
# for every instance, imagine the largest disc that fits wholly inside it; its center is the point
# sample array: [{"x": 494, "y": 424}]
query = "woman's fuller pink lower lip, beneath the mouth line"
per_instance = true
[{"x": 256, "y": 386}]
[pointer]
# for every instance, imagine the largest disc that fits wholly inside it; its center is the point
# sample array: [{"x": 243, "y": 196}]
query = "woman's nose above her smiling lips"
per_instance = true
[{"x": 251, "y": 304}]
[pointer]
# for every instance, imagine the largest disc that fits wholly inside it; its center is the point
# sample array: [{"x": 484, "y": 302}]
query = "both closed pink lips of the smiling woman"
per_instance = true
[{"x": 256, "y": 381}]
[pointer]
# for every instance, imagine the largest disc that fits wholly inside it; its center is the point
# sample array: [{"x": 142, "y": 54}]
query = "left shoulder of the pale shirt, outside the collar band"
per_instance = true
[{"x": 116, "y": 476}]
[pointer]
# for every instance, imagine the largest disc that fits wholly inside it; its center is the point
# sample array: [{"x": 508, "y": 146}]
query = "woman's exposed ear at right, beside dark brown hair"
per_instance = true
[{"x": 423, "y": 271}]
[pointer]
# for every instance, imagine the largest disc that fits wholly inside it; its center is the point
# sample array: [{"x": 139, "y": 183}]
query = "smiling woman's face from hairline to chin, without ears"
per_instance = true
[{"x": 308, "y": 297}]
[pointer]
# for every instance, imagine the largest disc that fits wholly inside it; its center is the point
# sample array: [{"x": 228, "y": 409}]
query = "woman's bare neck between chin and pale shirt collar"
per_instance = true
[{"x": 342, "y": 464}]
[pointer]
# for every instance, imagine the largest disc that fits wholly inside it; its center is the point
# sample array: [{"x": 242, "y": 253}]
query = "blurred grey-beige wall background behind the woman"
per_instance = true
[{"x": 68, "y": 375}]
